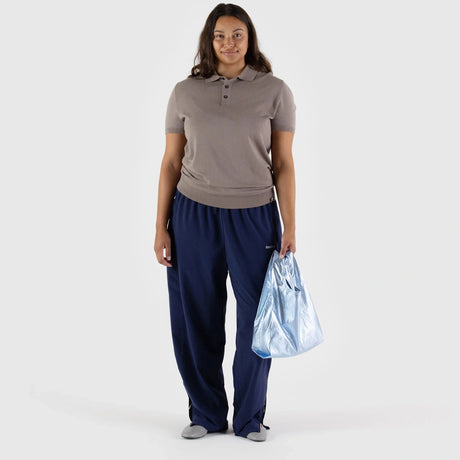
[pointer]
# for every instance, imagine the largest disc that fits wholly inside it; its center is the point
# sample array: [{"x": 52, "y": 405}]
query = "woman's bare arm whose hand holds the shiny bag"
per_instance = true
[{"x": 284, "y": 177}]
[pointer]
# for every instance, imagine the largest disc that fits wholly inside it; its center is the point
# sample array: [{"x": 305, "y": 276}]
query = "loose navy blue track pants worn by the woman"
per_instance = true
[{"x": 207, "y": 243}]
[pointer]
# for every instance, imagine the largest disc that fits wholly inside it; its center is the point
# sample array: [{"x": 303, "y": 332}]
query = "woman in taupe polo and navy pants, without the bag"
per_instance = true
[{"x": 217, "y": 214}]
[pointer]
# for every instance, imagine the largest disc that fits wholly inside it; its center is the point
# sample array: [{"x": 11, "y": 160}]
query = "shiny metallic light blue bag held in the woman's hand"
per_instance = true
[{"x": 286, "y": 323}]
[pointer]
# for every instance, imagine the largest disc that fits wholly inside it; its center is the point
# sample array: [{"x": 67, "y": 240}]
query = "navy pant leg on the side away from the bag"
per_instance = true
[{"x": 197, "y": 297}]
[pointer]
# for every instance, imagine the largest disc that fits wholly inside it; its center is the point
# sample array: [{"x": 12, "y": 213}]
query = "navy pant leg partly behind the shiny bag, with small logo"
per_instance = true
[{"x": 251, "y": 235}]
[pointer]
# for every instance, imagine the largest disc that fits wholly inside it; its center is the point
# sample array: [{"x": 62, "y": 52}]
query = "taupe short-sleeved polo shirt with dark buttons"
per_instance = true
[{"x": 228, "y": 125}]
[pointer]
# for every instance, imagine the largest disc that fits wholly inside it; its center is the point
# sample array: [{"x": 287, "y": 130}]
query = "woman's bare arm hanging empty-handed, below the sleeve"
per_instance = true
[{"x": 169, "y": 177}]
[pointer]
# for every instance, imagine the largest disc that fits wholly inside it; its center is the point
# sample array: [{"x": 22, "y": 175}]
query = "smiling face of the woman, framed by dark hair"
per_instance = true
[{"x": 230, "y": 40}]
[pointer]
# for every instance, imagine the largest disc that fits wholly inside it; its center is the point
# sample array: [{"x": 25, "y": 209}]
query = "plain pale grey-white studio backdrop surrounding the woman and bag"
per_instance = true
[{"x": 87, "y": 360}]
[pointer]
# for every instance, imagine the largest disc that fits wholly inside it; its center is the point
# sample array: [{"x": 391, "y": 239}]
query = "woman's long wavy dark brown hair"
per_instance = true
[{"x": 207, "y": 64}]
